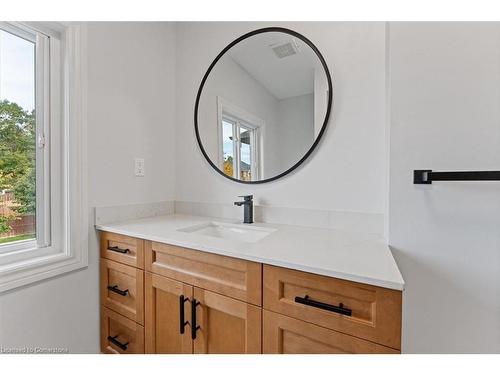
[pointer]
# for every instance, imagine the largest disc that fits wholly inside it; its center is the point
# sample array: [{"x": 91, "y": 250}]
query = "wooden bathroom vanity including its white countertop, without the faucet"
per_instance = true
[{"x": 187, "y": 284}]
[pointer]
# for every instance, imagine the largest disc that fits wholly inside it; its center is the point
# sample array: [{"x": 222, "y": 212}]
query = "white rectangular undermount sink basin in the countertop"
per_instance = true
[{"x": 235, "y": 232}]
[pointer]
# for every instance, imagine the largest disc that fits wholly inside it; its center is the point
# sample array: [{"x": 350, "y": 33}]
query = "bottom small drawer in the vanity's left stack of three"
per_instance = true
[{"x": 120, "y": 335}]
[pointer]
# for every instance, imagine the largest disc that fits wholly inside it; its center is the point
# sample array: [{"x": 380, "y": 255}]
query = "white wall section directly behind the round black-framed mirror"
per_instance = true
[{"x": 348, "y": 171}]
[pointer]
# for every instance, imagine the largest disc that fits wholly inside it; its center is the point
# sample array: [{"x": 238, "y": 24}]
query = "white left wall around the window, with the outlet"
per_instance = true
[{"x": 131, "y": 112}]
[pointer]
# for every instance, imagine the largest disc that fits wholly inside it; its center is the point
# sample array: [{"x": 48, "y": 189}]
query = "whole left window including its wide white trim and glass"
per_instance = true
[{"x": 42, "y": 212}]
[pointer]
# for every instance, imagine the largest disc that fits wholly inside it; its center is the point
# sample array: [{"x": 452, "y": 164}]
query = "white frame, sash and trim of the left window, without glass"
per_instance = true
[{"x": 62, "y": 211}]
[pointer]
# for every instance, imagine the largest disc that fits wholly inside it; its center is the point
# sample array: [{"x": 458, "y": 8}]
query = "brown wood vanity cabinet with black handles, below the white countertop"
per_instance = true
[{"x": 237, "y": 306}]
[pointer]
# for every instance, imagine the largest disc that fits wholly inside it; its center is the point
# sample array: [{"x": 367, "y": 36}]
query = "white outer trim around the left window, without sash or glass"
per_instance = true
[{"x": 68, "y": 249}]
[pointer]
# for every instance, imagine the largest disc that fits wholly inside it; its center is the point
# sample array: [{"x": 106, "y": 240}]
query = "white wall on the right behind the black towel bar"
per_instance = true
[{"x": 445, "y": 115}]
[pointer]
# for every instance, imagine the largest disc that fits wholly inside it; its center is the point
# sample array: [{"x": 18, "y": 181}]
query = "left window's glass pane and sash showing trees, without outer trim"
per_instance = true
[{"x": 22, "y": 177}]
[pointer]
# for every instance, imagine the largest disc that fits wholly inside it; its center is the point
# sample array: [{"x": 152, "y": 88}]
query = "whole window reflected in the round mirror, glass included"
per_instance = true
[{"x": 239, "y": 145}]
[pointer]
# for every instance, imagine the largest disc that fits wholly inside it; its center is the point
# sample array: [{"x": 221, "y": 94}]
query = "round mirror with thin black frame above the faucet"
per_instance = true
[{"x": 263, "y": 105}]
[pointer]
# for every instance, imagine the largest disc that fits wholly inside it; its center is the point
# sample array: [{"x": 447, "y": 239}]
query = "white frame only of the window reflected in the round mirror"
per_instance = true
[{"x": 240, "y": 118}]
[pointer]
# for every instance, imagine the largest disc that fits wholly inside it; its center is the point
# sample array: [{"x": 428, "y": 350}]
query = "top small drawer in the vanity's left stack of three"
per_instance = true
[{"x": 122, "y": 249}]
